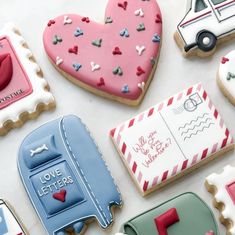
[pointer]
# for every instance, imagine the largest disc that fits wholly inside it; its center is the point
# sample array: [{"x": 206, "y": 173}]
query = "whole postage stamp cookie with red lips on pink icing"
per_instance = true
[{"x": 24, "y": 93}]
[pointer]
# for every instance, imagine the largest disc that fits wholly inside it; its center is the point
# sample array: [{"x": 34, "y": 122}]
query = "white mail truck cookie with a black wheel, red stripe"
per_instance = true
[{"x": 206, "y": 23}]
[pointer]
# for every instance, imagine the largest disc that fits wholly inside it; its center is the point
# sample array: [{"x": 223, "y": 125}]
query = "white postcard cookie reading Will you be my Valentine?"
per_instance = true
[{"x": 171, "y": 138}]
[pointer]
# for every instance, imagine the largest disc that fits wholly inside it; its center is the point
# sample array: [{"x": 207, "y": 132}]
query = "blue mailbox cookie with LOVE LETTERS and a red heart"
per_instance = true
[{"x": 66, "y": 178}]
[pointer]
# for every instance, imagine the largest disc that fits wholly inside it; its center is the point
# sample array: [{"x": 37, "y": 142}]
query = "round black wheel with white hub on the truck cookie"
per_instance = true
[{"x": 206, "y": 41}]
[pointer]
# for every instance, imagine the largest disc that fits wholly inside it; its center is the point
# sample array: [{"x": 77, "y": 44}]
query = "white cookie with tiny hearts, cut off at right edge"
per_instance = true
[{"x": 226, "y": 76}]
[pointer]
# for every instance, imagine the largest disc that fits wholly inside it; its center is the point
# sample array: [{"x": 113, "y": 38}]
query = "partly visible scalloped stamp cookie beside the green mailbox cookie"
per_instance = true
[{"x": 222, "y": 187}]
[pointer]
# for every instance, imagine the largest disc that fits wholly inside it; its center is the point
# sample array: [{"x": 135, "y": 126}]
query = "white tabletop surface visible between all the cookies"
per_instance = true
[{"x": 174, "y": 73}]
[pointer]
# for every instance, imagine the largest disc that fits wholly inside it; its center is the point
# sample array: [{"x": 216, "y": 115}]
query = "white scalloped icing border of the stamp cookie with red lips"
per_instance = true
[{"x": 40, "y": 95}]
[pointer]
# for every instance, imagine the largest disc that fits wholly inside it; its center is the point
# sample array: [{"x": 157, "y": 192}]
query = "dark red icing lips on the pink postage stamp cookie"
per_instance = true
[{"x": 6, "y": 70}]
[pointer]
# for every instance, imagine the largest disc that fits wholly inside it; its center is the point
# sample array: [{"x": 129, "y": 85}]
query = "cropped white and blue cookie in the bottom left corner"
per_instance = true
[{"x": 9, "y": 224}]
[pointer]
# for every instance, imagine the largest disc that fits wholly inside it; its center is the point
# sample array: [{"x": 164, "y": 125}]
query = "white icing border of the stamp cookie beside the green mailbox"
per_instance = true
[{"x": 222, "y": 196}]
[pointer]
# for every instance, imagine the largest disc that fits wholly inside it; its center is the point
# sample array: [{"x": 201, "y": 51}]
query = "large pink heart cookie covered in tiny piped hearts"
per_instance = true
[{"x": 116, "y": 59}]
